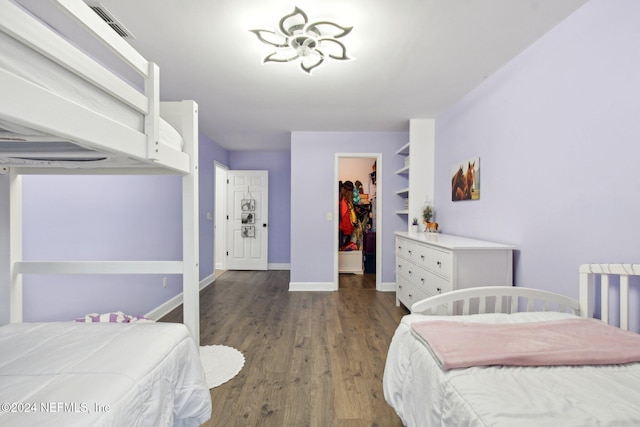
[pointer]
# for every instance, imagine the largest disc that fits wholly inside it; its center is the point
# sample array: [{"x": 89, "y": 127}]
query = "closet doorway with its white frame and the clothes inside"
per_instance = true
[{"x": 358, "y": 258}]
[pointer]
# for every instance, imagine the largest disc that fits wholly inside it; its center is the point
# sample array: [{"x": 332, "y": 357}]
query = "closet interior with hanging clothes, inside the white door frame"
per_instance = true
[{"x": 357, "y": 216}]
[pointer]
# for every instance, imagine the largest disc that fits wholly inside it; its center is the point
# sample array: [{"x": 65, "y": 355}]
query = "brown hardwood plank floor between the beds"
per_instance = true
[{"x": 312, "y": 358}]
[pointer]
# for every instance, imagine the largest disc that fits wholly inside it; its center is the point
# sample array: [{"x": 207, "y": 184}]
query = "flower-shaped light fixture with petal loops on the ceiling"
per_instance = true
[{"x": 310, "y": 43}]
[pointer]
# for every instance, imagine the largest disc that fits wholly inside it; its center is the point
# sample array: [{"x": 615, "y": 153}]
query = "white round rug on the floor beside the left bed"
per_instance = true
[{"x": 220, "y": 363}]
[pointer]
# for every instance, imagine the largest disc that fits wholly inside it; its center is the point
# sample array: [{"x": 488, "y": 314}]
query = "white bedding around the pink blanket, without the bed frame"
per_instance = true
[{"x": 424, "y": 395}]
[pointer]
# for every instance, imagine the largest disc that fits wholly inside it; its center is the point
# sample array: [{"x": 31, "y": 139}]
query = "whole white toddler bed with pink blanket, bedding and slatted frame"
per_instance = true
[{"x": 590, "y": 385}]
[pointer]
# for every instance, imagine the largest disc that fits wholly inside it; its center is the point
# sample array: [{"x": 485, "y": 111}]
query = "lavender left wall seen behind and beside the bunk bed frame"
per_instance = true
[{"x": 110, "y": 218}]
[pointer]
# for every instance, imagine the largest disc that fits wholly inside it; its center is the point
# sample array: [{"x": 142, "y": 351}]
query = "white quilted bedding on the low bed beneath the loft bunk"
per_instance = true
[{"x": 101, "y": 374}]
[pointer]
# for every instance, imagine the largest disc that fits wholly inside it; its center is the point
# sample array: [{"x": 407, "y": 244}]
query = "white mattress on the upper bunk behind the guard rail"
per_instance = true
[{"x": 21, "y": 61}]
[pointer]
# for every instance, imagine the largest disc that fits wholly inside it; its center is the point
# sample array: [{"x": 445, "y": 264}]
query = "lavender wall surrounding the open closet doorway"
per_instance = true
[{"x": 313, "y": 192}]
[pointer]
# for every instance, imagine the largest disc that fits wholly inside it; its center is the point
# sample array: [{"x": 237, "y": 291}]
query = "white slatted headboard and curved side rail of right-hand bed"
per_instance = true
[{"x": 500, "y": 299}]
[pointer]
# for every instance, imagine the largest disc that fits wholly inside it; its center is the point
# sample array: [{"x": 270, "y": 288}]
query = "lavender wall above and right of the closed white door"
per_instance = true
[{"x": 278, "y": 163}]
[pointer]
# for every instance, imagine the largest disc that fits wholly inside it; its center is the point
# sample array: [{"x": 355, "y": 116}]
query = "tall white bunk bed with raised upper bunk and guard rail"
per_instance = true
[{"x": 54, "y": 124}]
